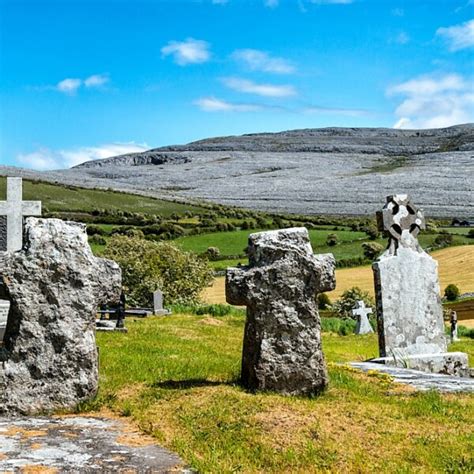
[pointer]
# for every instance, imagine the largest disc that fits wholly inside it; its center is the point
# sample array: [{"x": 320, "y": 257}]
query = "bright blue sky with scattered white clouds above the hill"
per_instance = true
[{"x": 85, "y": 79}]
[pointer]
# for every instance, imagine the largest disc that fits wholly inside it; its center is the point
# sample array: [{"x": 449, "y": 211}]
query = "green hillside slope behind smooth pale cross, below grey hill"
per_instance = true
[{"x": 69, "y": 199}]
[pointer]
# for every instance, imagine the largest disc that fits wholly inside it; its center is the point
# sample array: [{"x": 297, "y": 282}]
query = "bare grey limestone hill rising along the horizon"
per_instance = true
[{"x": 313, "y": 171}]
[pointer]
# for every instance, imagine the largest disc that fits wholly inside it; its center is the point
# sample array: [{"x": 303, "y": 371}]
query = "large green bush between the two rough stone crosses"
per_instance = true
[{"x": 147, "y": 266}]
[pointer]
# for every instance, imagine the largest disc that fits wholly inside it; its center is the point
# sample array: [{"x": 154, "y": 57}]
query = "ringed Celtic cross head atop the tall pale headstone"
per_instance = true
[{"x": 400, "y": 214}]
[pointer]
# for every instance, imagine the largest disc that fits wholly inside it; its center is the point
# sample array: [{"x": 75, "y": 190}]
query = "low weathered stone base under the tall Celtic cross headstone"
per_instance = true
[{"x": 448, "y": 363}]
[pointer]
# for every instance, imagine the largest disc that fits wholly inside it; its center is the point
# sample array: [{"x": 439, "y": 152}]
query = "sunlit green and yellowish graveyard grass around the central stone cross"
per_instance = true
[{"x": 176, "y": 377}]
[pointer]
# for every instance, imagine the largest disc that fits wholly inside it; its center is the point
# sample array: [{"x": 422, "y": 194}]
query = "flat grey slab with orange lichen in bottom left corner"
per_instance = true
[{"x": 80, "y": 444}]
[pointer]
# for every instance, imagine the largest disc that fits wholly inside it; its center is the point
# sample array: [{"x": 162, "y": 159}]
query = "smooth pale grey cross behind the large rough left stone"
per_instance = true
[{"x": 15, "y": 208}]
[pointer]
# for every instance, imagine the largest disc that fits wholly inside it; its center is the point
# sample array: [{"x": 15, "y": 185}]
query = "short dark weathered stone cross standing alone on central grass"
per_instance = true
[{"x": 282, "y": 342}]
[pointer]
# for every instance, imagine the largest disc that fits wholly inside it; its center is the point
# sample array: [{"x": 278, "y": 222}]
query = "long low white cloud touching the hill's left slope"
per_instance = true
[{"x": 47, "y": 159}]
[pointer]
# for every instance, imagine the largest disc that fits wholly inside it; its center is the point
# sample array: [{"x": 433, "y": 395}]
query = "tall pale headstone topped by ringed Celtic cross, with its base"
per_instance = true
[{"x": 409, "y": 312}]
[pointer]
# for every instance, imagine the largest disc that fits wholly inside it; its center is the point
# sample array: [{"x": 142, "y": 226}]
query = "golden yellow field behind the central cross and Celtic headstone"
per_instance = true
[{"x": 456, "y": 265}]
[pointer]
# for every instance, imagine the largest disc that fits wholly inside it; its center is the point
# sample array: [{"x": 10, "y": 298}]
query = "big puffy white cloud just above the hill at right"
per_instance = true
[{"x": 434, "y": 101}]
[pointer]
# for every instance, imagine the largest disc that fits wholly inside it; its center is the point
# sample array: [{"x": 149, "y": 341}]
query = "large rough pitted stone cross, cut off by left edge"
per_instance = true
[{"x": 54, "y": 285}]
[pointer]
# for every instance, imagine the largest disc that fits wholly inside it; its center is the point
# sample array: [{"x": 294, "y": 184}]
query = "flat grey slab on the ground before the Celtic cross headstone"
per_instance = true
[{"x": 420, "y": 380}]
